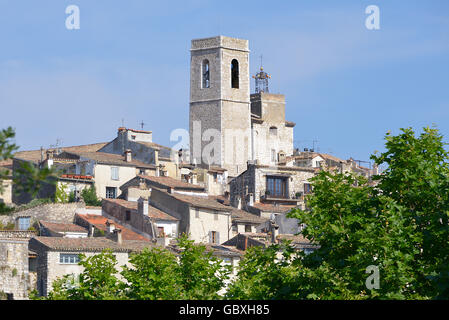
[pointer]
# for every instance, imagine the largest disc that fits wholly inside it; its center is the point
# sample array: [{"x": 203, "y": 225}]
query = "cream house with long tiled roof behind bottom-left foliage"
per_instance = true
[{"x": 57, "y": 256}]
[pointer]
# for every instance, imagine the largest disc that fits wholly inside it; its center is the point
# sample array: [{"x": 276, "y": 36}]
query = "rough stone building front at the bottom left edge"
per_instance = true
[{"x": 16, "y": 278}]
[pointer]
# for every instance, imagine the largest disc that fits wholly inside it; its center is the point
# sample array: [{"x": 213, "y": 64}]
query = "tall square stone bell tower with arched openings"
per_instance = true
[{"x": 220, "y": 106}]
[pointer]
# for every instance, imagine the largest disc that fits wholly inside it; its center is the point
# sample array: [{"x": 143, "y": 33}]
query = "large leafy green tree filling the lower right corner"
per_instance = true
[{"x": 398, "y": 222}]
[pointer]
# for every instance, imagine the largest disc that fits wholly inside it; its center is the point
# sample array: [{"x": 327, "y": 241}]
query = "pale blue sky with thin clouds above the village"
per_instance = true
[{"x": 345, "y": 85}]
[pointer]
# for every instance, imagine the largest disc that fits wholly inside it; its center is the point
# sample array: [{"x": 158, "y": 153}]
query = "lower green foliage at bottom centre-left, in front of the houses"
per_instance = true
[{"x": 154, "y": 273}]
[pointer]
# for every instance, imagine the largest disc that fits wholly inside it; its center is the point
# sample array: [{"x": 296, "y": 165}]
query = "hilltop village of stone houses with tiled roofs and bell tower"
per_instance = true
[{"x": 231, "y": 190}]
